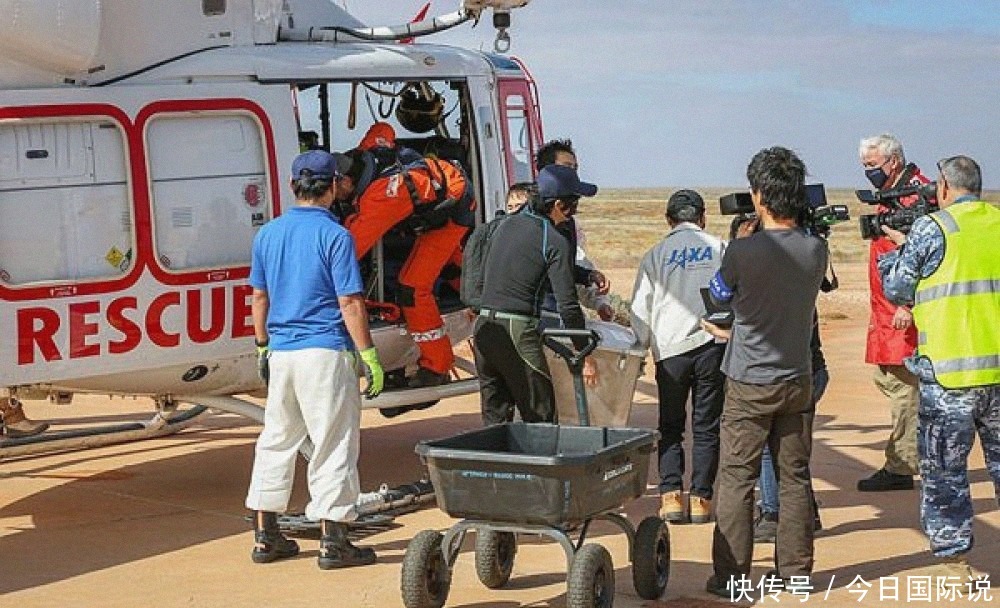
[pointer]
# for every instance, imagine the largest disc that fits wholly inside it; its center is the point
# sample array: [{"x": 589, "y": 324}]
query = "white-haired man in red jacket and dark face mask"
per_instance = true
[{"x": 891, "y": 334}]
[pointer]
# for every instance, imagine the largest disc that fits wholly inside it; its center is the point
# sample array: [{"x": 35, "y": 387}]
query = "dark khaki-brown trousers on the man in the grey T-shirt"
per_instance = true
[{"x": 779, "y": 415}]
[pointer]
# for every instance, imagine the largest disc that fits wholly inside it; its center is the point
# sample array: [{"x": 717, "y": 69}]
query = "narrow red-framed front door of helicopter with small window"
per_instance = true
[{"x": 521, "y": 126}]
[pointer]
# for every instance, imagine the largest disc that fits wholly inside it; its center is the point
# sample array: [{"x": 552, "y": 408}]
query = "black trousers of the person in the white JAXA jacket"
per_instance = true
[{"x": 697, "y": 373}]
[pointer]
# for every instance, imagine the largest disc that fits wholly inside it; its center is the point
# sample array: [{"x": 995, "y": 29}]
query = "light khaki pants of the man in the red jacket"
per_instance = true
[{"x": 900, "y": 387}]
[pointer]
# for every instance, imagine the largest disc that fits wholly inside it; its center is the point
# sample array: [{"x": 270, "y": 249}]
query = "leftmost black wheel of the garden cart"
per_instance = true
[{"x": 426, "y": 577}]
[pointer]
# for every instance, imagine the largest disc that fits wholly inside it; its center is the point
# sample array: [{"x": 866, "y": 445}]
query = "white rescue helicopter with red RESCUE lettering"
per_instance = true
[{"x": 142, "y": 145}]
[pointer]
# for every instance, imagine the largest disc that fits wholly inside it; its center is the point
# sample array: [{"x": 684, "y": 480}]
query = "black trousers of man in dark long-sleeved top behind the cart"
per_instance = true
[{"x": 512, "y": 370}]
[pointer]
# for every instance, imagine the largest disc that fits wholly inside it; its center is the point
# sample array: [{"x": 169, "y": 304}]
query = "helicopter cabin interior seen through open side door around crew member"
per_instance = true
[{"x": 433, "y": 118}]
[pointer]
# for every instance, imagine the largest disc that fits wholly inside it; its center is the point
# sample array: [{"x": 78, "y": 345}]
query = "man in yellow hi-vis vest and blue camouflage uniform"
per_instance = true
[{"x": 948, "y": 265}]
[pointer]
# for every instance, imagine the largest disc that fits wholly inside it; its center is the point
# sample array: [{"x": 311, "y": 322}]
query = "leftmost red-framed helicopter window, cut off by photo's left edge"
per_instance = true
[{"x": 65, "y": 212}]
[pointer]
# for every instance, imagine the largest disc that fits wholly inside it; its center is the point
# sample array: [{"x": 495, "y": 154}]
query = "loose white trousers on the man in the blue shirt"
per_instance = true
[{"x": 312, "y": 393}]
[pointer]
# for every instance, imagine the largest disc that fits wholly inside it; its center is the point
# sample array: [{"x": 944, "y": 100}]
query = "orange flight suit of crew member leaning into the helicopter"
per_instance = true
[{"x": 385, "y": 203}]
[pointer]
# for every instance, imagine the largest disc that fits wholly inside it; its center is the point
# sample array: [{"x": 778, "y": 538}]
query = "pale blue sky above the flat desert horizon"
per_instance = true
[{"x": 684, "y": 92}]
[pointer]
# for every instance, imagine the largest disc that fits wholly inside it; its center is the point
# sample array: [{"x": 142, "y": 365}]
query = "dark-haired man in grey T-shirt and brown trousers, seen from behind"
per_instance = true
[{"x": 768, "y": 366}]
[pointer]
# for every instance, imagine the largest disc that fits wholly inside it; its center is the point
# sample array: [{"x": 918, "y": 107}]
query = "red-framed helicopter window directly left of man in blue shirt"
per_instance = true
[{"x": 209, "y": 188}]
